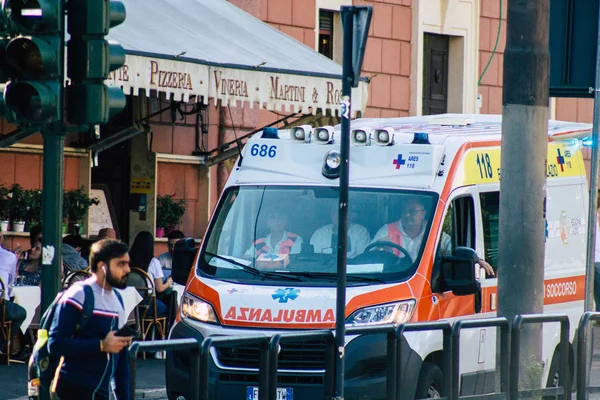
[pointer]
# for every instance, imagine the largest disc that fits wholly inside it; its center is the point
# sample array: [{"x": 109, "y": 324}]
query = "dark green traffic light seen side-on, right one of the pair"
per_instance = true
[{"x": 90, "y": 59}]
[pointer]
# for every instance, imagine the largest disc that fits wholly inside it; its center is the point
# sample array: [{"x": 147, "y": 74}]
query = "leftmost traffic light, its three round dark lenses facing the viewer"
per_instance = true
[{"x": 33, "y": 41}]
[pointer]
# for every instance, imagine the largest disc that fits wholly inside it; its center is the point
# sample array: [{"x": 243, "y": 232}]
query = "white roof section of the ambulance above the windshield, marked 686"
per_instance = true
[{"x": 419, "y": 151}]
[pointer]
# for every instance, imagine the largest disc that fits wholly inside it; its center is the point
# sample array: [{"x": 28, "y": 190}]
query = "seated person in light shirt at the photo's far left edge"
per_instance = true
[{"x": 14, "y": 312}]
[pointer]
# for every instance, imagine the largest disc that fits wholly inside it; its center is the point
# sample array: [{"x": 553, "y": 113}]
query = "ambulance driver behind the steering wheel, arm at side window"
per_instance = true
[{"x": 409, "y": 231}]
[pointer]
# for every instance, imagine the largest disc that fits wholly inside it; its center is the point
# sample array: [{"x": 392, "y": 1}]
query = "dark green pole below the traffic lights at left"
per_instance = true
[{"x": 52, "y": 205}]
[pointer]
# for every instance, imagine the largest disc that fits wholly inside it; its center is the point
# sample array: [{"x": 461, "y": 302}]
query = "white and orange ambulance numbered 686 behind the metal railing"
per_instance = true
[{"x": 424, "y": 202}]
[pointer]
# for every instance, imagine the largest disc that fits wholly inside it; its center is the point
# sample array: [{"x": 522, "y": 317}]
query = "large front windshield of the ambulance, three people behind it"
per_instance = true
[{"x": 273, "y": 233}]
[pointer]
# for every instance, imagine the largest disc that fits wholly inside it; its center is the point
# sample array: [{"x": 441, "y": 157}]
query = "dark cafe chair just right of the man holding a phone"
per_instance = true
[{"x": 147, "y": 312}]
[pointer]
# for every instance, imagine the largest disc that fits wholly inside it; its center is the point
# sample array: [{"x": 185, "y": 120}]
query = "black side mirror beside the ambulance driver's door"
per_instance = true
[{"x": 458, "y": 272}]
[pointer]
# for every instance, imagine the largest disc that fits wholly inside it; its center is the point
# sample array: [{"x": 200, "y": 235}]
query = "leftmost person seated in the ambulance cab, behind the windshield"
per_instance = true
[{"x": 278, "y": 241}]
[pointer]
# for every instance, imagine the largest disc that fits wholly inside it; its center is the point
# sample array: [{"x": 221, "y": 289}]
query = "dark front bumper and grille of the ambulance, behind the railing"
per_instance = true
[{"x": 232, "y": 372}]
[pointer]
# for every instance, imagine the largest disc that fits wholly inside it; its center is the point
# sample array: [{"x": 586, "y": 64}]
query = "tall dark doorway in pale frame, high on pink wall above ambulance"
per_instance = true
[{"x": 435, "y": 74}]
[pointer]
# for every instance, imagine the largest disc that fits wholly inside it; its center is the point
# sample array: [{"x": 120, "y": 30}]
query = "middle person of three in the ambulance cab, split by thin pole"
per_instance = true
[{"x": 324, "y": 240}]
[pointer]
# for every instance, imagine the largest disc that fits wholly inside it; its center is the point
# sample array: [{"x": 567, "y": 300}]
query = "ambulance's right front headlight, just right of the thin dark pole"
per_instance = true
[{"x": 392, "y": 313}]
